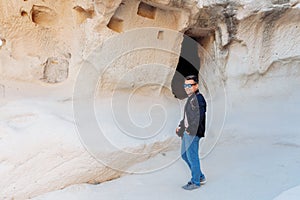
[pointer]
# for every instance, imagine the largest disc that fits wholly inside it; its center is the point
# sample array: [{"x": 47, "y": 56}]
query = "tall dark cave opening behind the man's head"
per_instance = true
[{"x": 188, "y": 64}]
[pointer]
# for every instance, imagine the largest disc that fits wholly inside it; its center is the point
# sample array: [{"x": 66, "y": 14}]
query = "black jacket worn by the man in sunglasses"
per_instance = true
[{"x": 195, "y": 109}]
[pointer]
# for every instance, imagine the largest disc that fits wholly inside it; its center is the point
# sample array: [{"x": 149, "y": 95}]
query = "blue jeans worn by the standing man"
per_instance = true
[{"x": 189, "y": 153}]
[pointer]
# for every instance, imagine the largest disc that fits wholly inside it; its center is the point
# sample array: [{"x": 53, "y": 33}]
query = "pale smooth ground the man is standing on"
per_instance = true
[{"x": 238, "y": 168}]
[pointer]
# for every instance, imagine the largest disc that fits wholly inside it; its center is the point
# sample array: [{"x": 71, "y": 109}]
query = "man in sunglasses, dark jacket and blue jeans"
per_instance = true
[{"x": 191, "y": 129}]
